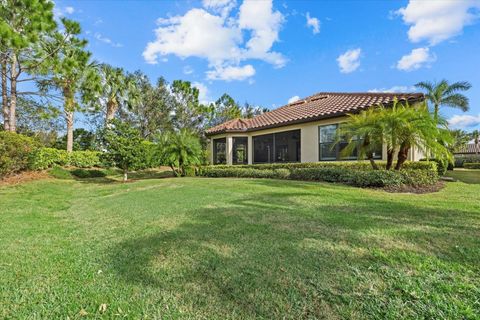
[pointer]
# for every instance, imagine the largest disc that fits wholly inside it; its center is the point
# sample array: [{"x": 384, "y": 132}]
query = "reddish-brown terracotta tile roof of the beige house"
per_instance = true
[{"x": 319, "y": 106}]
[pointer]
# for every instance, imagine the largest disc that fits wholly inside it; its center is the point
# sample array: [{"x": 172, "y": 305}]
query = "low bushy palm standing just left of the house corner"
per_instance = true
[{"x": 180, "y": 150}]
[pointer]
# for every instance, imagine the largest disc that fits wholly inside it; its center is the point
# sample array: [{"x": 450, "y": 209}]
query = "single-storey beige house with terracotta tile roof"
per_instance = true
[{"x": 302, "y": 131}]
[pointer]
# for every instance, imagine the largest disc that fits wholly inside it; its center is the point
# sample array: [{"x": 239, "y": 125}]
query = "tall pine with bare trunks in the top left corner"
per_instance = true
[{"x": 23, "y": 23}]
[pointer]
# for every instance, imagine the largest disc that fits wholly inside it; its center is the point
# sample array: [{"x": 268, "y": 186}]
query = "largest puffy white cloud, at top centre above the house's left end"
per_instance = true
[{"x": 219, "y": 38}]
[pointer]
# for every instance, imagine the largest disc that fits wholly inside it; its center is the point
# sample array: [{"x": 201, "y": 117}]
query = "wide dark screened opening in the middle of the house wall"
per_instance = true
[{"x": 277, "y": 147}]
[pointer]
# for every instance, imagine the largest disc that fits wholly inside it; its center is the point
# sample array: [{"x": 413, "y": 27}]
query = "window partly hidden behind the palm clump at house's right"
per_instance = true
[{"x": 330, "y": 151}]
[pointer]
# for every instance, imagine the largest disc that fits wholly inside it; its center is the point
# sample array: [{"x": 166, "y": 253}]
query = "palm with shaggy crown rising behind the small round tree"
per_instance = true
[{"x": 116, "y": 90}]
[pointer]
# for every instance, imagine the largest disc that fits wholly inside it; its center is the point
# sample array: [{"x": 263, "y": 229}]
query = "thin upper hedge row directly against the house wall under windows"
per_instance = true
[{"x": 357, "y": 165}]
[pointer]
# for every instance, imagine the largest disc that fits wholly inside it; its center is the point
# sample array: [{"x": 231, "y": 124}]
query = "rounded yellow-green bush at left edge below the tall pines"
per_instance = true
[{"x": 15, "y": 151}]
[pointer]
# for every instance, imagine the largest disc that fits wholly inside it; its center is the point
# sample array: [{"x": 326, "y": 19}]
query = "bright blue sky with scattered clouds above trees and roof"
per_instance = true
[{"x": 267, "y": 53}]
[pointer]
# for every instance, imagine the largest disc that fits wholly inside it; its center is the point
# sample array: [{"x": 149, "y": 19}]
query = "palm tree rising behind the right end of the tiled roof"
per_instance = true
[{"x": 444, "y": 94}]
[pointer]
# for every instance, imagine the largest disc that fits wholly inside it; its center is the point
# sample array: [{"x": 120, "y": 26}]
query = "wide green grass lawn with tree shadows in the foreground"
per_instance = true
[{"x": 198, "y": 248}]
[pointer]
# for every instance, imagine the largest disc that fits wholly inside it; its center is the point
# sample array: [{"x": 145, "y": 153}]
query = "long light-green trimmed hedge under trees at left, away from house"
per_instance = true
[{"x": 48, "y": 157}]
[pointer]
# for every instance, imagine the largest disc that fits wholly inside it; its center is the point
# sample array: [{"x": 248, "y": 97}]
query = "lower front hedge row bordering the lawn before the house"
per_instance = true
[{"x": 334, "y": 173}]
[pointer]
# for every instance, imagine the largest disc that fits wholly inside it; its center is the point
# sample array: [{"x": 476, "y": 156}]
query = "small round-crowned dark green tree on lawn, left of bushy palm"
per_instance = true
[{"x": 123, "y": 146}]
